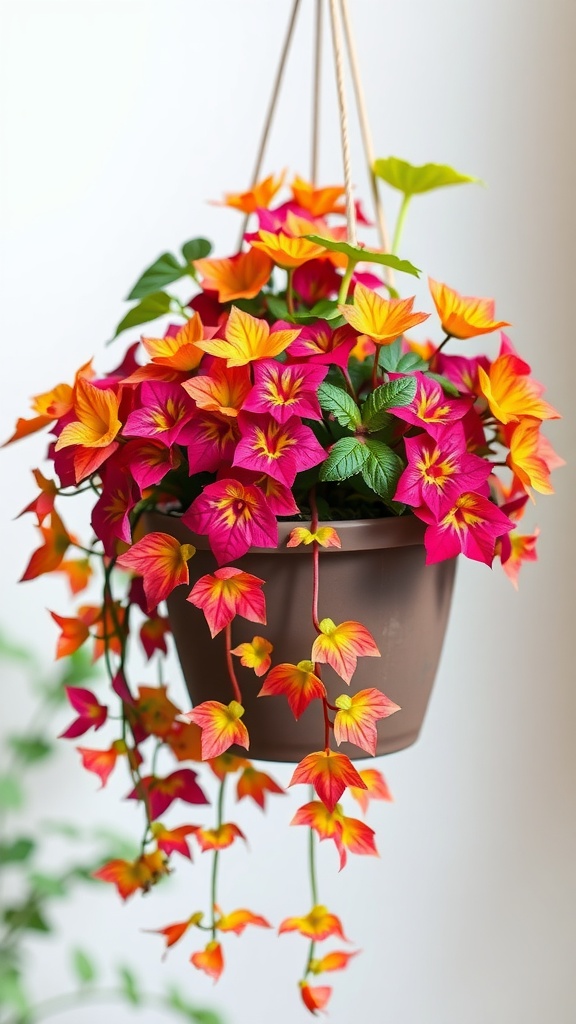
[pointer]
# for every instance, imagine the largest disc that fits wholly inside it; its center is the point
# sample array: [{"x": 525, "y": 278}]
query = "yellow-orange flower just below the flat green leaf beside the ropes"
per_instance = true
[{"x": 383, "y": 320}]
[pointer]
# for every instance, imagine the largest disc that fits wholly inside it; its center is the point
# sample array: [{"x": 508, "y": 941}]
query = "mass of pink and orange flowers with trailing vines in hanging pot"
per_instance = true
[{"x": 287, "y": 388}]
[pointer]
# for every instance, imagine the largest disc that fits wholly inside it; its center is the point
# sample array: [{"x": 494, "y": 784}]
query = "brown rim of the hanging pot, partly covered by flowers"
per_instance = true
[{"x": 356, "y": 535}]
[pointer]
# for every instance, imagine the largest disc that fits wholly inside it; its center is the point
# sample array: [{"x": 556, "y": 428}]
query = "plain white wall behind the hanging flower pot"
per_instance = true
[{"x": 119, "y": 120}]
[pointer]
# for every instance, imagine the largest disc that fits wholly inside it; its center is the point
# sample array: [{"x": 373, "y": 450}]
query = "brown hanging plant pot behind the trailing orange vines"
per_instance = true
[{"x": 379, "y": 579}]
